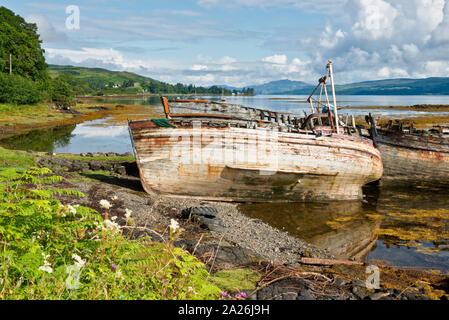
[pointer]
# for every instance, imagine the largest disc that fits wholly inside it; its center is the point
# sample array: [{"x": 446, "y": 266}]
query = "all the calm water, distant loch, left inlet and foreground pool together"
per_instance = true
[{"x": 403, "y": 227}]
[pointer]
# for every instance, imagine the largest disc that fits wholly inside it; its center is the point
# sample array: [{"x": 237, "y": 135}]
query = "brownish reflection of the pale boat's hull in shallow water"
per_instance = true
[{"x": 343, "y": 228}]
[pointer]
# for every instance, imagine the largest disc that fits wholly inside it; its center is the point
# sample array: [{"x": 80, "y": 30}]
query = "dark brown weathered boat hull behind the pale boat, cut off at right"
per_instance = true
[{"x": 411, "y": 155}]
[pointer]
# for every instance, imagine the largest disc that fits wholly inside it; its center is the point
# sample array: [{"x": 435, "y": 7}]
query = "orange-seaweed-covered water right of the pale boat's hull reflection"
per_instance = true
[{"x": 415, "y": 227}]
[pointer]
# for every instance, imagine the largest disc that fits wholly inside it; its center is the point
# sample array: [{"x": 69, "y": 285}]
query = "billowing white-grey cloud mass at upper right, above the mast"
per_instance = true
[{"x": 377, "y": 39}]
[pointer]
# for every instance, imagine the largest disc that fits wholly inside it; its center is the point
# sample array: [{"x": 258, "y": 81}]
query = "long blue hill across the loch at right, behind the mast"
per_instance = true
[{"x": 428, "y": 86}]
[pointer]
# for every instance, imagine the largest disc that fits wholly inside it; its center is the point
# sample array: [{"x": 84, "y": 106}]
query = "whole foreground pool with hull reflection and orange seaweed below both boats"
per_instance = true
[{"x": 401, "y": 226}]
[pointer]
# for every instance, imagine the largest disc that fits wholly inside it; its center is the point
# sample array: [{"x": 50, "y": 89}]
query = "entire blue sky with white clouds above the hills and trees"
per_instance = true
[{"x": 246, "y": 42}]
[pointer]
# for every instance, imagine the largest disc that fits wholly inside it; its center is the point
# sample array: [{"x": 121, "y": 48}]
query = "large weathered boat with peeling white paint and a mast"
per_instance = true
[{"x": 271, "y": 157}]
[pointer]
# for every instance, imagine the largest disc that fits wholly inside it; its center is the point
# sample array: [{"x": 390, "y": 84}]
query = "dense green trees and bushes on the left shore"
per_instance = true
[{"x": 24, "y": 78}]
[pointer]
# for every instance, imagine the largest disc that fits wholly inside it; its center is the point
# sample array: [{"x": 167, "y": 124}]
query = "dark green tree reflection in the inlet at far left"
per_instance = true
[{"x": 43, "y": 140}]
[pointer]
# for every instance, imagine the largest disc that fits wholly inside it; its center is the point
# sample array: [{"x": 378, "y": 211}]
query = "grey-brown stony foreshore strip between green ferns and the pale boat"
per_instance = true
[{"x": 224, "y": 238}]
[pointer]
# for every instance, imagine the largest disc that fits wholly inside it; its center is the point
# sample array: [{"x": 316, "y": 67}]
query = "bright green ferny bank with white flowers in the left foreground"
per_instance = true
[{"x": 54, "y": 248}]
